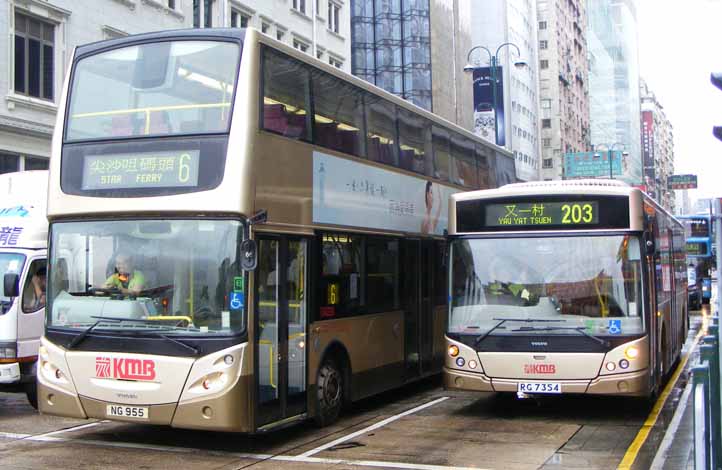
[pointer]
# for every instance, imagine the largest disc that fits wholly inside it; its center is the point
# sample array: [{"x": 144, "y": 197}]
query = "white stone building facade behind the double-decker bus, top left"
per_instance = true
[{"x": 37, "y": 38}]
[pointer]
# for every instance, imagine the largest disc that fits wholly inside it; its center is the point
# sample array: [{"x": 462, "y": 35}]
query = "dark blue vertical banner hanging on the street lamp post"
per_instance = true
[{"x": 485, "y": 116}]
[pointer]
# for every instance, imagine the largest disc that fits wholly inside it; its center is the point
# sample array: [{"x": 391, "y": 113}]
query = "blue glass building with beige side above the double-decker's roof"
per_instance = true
[{"x": 391, "y": 47}]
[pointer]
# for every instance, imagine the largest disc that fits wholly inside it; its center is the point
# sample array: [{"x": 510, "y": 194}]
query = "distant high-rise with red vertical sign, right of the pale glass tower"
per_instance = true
[{"x": 657, "y": 148}]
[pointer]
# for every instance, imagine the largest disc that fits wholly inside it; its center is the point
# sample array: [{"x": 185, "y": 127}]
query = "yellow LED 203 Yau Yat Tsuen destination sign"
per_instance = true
[{"x": 542, "y": 213}]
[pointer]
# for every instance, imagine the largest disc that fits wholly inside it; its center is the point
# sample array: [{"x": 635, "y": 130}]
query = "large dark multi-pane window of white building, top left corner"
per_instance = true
[{"x": 34, "y": 57}]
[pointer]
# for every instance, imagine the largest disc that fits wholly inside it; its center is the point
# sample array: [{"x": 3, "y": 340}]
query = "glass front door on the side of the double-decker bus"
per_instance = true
[{"x": 281, "y": 314}]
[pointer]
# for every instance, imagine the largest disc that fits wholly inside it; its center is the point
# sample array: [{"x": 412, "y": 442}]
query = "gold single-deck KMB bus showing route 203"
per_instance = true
[{"x": 561, "y": 287}]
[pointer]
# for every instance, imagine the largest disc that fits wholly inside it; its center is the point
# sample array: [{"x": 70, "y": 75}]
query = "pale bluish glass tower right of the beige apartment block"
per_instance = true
[{"x": 614, "y": 81}]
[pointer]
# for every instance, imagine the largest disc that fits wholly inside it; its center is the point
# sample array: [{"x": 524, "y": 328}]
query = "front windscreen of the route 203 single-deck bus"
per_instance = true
[{"x": 589, "y": 282}]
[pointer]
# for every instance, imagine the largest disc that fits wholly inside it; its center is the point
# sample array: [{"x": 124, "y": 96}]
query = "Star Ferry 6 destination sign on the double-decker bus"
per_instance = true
[{"x": 141, "y": 170}]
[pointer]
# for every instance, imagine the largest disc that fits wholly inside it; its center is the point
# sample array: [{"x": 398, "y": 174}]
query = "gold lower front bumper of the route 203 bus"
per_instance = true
[{"x": 629, "y": 384}]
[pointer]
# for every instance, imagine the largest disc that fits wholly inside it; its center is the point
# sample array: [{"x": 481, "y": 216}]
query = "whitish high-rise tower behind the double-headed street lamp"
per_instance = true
[{"x": 496, "y": 22}]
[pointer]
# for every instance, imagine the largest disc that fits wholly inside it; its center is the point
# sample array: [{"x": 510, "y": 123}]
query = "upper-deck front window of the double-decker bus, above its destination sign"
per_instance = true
[{"x": 159, "y": 89}]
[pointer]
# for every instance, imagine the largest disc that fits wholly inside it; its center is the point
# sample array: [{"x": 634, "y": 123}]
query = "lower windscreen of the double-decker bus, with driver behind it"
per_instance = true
[{"x": 183, "y": 275}]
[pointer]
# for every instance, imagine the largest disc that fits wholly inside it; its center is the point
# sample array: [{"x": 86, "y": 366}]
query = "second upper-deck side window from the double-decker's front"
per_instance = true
[{"x": 338, "y": 118}]
